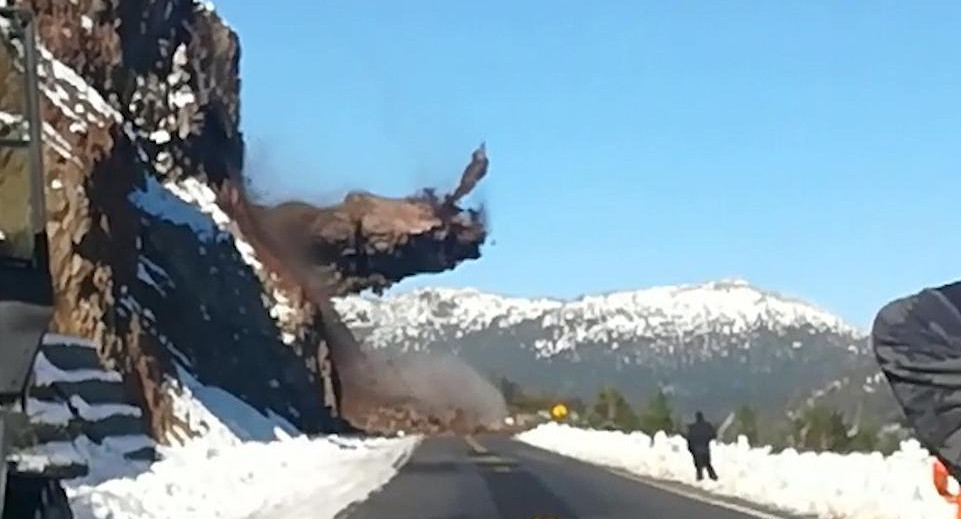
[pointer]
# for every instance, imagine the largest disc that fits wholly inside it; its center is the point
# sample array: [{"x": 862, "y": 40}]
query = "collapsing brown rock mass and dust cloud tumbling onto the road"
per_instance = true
[{"x": 371, "y": 242}]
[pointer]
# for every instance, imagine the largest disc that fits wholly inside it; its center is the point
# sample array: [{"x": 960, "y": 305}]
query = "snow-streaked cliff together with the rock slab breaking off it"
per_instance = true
[{"x": 157, "y": 256}]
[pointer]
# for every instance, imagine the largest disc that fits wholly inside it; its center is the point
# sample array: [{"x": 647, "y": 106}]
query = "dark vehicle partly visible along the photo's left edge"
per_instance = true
[{"x": 26, "y": 292}]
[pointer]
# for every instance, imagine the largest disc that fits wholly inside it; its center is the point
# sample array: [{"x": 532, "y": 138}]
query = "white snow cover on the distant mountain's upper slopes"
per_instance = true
[{"x": 731, "y": 307}]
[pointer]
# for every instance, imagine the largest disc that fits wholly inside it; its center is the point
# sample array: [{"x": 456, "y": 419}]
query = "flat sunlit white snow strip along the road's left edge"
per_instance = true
[{"x": 291, "y": 478}]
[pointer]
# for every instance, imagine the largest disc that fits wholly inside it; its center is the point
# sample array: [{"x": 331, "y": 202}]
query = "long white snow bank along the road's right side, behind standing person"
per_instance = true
[{"x": 825, "y": 485}]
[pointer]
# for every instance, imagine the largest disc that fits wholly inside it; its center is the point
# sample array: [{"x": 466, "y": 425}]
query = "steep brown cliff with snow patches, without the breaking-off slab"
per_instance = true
[{"x": 141, "y": 107}]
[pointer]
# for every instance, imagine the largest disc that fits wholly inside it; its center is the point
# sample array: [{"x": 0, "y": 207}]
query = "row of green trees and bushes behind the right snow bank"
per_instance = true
[{"x": 814, "y": 428}]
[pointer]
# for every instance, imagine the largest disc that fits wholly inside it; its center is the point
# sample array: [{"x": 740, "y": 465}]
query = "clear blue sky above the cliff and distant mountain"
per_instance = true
[{"x": 811, "y": 147}]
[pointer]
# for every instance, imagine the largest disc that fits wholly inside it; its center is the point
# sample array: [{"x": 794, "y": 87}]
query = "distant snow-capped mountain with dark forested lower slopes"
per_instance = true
[{"x": 715, "y": 345}]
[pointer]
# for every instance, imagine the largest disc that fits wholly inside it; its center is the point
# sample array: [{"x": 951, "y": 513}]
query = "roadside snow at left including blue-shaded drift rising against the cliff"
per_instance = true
[{"x": 246, "y": 465}]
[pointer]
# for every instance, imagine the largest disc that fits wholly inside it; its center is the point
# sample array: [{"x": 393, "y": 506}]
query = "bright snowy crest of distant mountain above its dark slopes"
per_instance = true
[{"x": 690, "y": 307}]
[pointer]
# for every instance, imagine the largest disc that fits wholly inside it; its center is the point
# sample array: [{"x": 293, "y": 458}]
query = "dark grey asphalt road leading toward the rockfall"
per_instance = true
[{"x": 491, "y": 478}]
